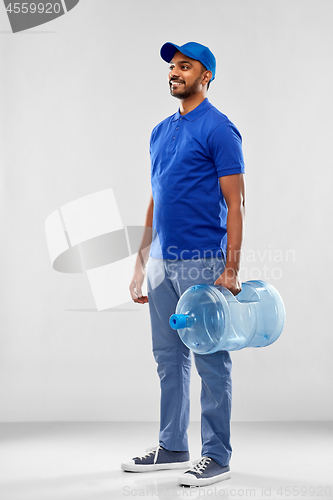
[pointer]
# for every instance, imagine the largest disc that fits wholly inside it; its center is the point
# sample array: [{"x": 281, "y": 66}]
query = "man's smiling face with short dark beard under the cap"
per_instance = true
[{"x": 185, "y": 76}]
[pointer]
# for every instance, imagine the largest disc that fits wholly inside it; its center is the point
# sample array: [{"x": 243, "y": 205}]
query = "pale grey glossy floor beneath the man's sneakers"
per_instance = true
[{"x": 271, "y": 460}]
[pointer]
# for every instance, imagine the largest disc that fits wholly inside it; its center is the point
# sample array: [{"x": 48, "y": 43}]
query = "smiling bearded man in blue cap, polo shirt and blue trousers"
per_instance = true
[{"x": 196, "y": 212}]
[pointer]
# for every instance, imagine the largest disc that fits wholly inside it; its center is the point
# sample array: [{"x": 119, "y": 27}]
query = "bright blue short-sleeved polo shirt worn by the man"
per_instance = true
[{"x": 188, "y": 155}]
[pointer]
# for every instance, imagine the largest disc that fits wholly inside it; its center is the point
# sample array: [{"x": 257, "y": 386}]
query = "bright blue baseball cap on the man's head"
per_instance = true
[{"x": 193, "y": 50}]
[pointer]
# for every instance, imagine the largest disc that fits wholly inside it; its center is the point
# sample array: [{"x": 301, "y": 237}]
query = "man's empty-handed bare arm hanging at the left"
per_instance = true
[{"x": 142, "y": 257}]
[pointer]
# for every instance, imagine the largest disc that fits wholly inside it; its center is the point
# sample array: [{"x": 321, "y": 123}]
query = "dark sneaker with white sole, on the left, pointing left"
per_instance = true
[{"x": 158, "y": 459}]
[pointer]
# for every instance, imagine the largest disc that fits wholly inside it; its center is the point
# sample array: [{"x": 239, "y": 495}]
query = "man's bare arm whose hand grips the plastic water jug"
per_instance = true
[{"x": 233, "y": 190}]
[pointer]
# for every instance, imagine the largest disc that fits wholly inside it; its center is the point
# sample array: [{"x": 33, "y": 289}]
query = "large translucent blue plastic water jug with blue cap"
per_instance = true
[{"x": 210, "y": 318}]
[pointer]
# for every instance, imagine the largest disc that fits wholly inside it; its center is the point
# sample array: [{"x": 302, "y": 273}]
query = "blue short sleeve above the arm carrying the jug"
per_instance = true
[{"x": 225, "y": 143}]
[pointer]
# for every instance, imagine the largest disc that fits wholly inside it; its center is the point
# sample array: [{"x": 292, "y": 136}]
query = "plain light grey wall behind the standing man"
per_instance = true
[{"x": 79, "y": 97}]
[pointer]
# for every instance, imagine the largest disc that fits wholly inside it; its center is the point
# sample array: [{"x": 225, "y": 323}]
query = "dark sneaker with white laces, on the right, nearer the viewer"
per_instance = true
[{"x": 205, "y": 472}]
